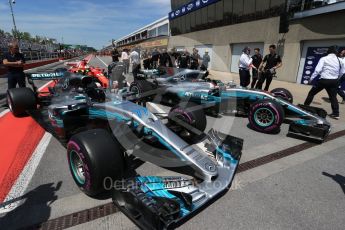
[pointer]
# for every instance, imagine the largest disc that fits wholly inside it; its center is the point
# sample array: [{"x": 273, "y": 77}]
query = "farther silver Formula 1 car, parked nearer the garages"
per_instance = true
[{"x": 266, "y": 111}]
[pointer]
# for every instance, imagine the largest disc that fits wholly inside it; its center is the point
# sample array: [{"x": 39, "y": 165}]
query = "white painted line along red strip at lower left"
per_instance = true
[{"x": 25, "y": 176}]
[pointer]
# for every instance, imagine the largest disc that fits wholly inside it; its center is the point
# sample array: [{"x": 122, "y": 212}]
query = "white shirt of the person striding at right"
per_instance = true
[{"x": 330, "y": 67}]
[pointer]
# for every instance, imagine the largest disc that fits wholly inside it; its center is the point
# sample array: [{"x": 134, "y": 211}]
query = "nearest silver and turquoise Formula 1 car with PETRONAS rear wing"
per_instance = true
[{"x": 107, "y": 135}]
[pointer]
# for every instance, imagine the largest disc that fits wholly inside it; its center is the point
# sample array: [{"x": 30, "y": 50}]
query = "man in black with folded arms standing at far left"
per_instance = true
[{"x": 14, "y": 61}]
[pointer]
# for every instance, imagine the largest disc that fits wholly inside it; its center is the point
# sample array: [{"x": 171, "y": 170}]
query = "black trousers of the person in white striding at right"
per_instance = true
[{"x": 331, "y": 86}]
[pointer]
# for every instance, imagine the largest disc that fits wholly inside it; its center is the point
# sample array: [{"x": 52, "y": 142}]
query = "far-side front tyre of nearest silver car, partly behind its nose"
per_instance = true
[{"x": 189, "y": 113}]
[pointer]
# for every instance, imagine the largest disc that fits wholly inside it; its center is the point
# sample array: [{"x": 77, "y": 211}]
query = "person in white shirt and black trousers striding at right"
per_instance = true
[{"x": 329, "y": 69}]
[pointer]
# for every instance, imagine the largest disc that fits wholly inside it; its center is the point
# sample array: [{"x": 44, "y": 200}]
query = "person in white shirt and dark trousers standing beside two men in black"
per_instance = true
[{"x": 244, "y": 65}]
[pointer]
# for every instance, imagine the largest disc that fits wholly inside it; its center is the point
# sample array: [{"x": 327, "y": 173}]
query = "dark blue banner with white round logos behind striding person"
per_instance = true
[{"x": 314, "y": 54}]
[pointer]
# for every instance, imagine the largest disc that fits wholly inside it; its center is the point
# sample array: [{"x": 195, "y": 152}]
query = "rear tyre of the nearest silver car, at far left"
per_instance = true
[{"x": 21, "y": 100}]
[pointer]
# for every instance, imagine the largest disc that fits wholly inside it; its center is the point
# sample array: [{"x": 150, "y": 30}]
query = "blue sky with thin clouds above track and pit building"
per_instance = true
[{"x": 89, "y": 22}]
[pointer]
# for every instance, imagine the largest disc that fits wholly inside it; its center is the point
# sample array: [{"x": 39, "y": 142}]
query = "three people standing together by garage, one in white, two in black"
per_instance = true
[{"x": 263, "y": 69}]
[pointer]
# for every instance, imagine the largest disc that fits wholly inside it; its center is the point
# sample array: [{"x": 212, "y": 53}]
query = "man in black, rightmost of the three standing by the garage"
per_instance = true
[{"x": 272, "y": 61}]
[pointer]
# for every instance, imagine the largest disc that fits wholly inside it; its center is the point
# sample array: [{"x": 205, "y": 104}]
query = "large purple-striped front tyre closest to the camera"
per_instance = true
[{"x": 96, "y": 160}]
